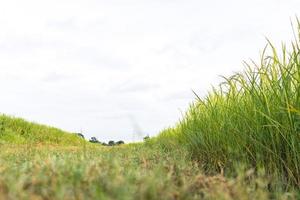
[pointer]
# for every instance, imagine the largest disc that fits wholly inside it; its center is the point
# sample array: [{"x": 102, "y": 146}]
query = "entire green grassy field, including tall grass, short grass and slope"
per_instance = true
[{"x": 241, "y": 141}]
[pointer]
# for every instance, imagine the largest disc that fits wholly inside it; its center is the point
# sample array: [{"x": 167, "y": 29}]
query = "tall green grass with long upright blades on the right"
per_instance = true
[{"x": 252, "y": 118}]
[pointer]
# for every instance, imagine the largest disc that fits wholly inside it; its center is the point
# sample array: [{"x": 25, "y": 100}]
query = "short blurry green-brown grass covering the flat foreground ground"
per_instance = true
[{"x": 128, "y": 172}]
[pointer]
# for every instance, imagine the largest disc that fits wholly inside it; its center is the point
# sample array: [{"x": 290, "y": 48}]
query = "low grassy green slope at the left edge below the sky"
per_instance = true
[{"x": 18, "y": 131}]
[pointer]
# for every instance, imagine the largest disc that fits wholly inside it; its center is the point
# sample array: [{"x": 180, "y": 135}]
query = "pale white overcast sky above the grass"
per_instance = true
[{"x": 123, "y": 69}]
